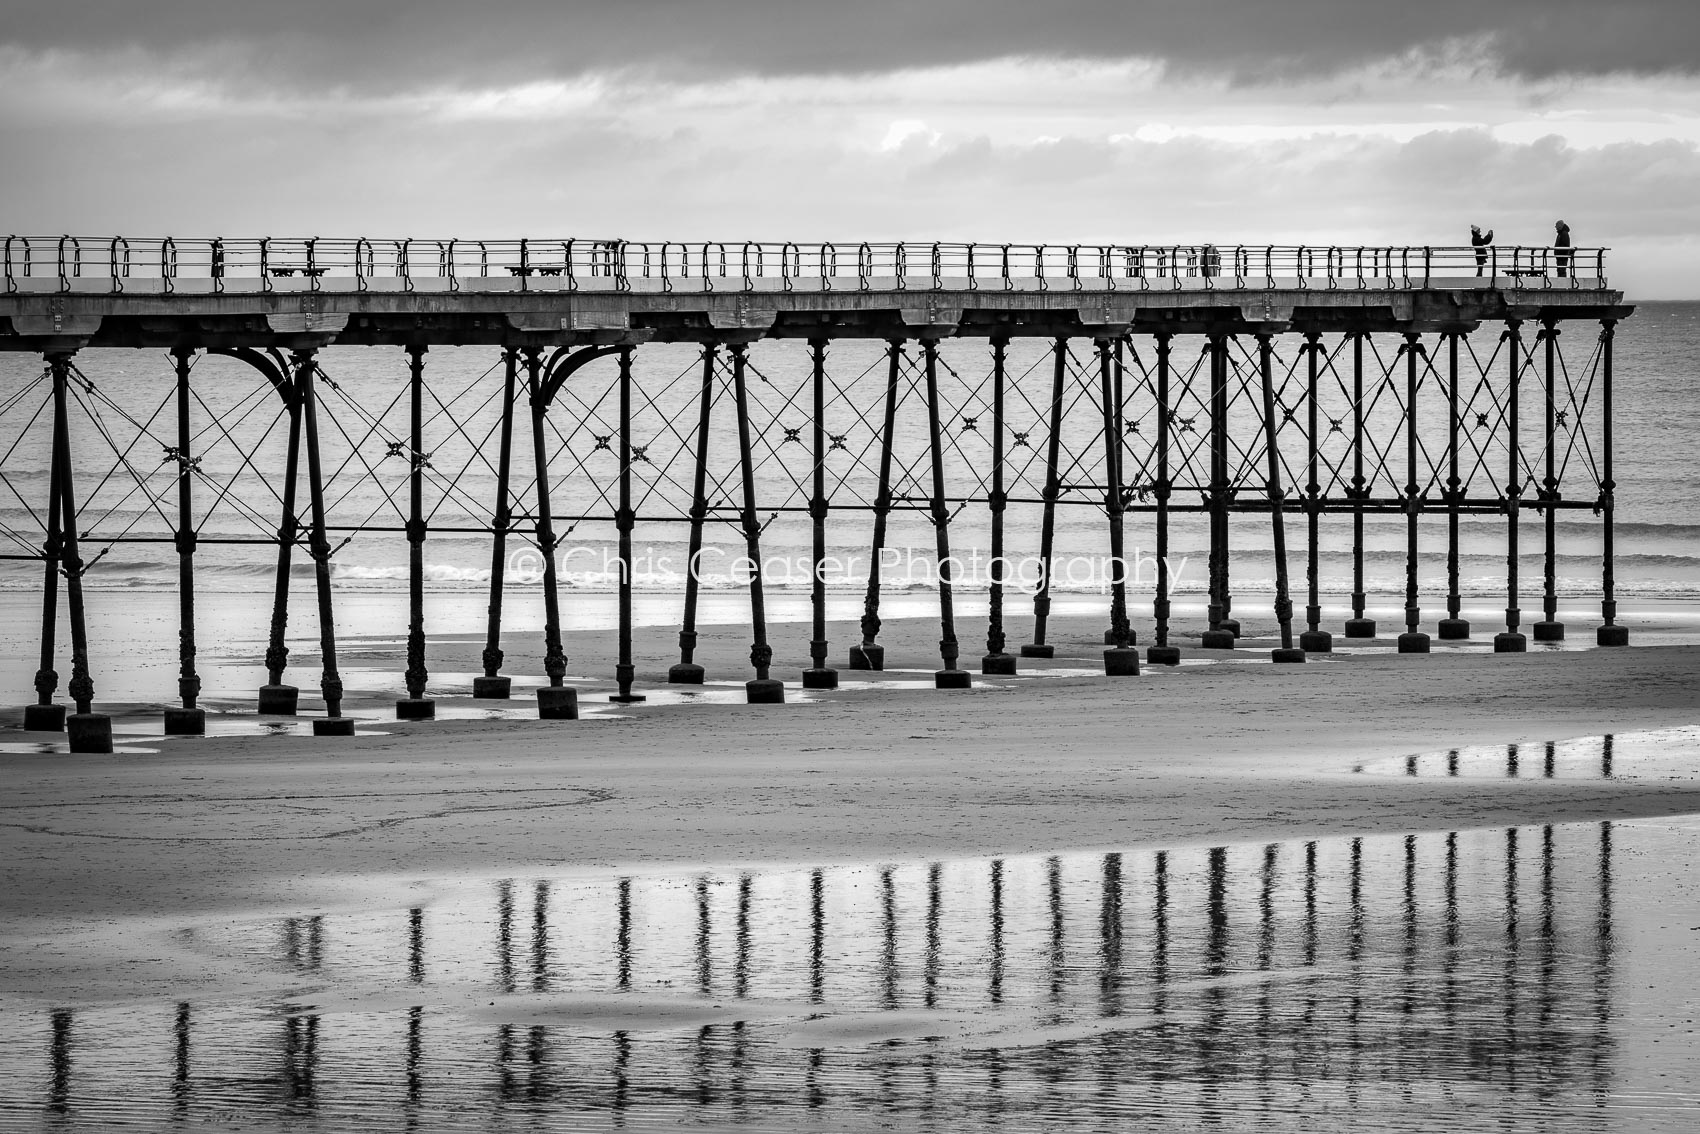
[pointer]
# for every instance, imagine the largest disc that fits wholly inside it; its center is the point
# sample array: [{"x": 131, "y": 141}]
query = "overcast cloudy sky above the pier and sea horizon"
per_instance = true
[{"x": 1094, "y": 122}]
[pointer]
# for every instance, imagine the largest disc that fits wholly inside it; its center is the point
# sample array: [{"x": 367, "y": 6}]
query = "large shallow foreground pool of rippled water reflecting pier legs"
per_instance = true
[{"x": 1529, "y": 978}]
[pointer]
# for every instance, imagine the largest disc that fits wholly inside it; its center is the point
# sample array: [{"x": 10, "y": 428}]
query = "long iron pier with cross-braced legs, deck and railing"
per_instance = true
[{"x": 1289, "y": 388}]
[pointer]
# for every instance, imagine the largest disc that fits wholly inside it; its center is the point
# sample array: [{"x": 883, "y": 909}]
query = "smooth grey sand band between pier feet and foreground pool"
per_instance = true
[{"x": 1068, "y": 761}]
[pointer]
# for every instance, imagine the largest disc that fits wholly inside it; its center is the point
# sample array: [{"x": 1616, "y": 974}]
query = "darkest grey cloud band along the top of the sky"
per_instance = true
[{"x": 409, "y": 43}]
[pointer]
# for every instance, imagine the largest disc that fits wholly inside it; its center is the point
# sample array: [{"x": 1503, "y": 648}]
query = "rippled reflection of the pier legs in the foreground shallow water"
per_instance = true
[{"x": 1471, "y": 968}]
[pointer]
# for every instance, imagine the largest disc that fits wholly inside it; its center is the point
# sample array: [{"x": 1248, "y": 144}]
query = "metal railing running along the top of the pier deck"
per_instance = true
[{"x": 200, "y": 266}]
